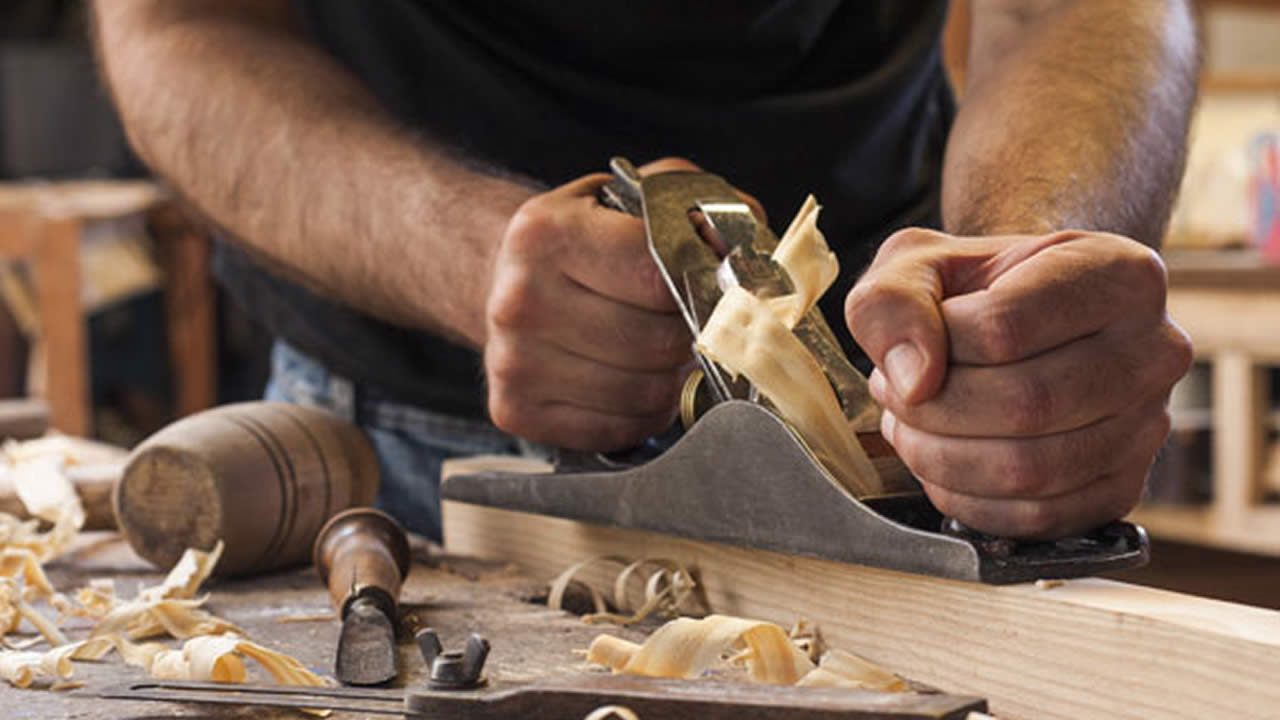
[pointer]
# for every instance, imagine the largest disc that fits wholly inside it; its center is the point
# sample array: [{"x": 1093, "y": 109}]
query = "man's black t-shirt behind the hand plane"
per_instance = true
[{"x": 843, "y": 99}]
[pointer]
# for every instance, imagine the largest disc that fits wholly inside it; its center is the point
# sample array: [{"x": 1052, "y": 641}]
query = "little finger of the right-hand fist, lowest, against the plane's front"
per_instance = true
[{"x": 1087, "y": 508}]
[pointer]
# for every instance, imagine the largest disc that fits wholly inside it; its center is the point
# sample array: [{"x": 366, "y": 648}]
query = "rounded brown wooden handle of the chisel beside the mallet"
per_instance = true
[{"x": 363, "y": 553}]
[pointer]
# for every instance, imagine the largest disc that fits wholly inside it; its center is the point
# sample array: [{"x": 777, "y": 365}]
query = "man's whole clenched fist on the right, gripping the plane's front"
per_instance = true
[{"x": 1025, "y": 380}]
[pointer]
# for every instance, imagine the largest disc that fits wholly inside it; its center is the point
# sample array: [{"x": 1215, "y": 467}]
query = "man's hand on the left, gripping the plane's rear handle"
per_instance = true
[{"x": 587, "y": 349}]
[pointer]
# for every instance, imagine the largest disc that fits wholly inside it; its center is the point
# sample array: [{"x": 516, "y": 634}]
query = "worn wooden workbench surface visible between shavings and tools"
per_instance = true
[{"x": 455, "y": 596}]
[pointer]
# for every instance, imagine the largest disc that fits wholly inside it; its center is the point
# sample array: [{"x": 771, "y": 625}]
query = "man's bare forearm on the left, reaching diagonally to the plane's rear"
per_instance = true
[{"x": 278, "y": 144}]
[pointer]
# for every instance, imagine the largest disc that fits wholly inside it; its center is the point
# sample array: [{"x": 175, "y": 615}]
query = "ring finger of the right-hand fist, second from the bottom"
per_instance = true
[{"x": 1028, "y": 468}]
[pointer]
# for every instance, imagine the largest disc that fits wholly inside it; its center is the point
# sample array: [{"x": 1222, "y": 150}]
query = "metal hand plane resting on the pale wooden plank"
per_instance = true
[{"x": 737, "y": 472}]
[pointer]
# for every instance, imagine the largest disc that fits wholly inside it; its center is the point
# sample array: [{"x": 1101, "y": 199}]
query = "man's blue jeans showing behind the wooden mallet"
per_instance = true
[{"x": 412, "y": 443}]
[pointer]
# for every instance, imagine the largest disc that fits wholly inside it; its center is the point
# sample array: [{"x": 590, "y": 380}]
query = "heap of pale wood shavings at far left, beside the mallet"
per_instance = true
[{"x": 214, "y": 649}]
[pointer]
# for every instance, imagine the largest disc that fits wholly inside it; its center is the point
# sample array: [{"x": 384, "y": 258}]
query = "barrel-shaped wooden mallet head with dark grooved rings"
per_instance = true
[{"x": 264, "y": 477}]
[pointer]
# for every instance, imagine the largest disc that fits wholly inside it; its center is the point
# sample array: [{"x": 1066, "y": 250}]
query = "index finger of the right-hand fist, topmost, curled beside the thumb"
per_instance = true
[{"x": 1072, "y": 286}]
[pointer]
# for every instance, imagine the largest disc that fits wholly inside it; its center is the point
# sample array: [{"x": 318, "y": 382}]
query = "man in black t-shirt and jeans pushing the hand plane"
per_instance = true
[{"x": 420, "y": 181}]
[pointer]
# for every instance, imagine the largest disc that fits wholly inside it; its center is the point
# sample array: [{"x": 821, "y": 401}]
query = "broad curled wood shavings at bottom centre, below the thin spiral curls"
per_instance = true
[{"x": 689, "y": 649}]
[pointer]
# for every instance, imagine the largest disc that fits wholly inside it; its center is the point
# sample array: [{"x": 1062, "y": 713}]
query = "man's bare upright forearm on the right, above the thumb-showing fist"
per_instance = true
[{"x": 1076, "y": 116}]
